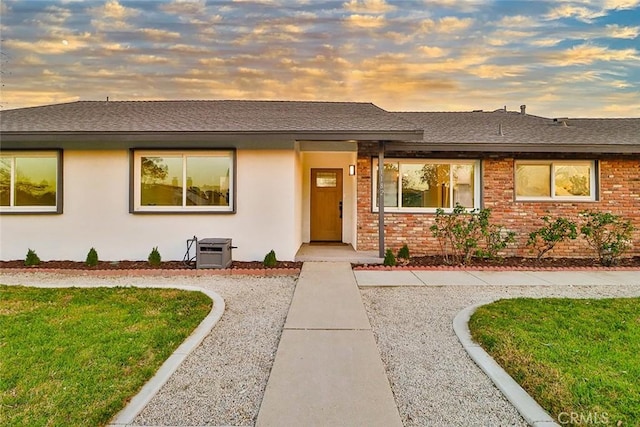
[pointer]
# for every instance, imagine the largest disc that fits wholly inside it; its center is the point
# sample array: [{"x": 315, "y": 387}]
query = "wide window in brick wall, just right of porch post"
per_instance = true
[{"x": 419, "y": 185}]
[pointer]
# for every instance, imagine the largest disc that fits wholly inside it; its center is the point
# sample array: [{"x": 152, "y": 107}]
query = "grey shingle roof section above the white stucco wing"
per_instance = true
[{"x": 203, "y": 116}]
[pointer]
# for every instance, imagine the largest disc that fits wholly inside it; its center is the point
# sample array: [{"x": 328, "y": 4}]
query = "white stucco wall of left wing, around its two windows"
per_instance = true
[{"x": 96, "y": 213}]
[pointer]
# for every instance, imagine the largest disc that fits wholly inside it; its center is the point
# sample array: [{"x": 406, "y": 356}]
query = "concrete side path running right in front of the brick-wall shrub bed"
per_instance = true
[{"x": 487, "y": 278}]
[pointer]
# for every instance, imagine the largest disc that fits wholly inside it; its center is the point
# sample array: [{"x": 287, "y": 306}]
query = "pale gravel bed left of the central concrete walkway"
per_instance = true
[{"x": 222, "y": 382}]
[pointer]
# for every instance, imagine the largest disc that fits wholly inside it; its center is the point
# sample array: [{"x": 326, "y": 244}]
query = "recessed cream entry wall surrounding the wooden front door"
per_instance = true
[{"x": 331, "y": 160}]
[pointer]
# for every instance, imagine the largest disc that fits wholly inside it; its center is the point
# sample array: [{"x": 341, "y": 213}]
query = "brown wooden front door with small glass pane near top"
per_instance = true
[{"x": 326, "y": 205}]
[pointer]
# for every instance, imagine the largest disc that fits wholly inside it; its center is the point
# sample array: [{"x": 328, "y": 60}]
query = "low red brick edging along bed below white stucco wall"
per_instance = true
[{"x": 162, "y": 272}]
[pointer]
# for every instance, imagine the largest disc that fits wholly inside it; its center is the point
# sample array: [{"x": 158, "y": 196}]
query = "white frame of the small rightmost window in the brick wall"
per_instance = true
[{"x": 593, "y": 181}]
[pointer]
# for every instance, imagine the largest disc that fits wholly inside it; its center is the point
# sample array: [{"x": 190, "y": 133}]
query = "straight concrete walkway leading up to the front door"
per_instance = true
[{"x": 327, "y": 370}]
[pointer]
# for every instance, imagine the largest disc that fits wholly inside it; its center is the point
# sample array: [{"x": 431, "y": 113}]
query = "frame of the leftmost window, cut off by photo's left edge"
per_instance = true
[{"x": 46, "y": 210}]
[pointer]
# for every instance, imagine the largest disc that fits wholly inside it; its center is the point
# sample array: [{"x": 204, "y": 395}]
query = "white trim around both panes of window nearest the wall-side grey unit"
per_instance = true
[{"x": 183, "y": 154}]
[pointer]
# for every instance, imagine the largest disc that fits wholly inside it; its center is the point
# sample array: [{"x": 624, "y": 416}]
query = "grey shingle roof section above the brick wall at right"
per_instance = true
[{"x": 502, "y": 128}]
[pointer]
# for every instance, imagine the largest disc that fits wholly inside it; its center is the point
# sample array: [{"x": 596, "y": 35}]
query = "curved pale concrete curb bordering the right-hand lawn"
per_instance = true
[{"x": 530, "y": 410}]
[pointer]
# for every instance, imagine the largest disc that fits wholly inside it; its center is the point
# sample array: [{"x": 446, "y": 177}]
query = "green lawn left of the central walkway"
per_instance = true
[{"x": 76, "y": 356}]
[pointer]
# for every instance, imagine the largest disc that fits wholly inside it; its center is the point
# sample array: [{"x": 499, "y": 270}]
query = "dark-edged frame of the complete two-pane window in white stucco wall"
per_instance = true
[{"x": 135, "y": 206}]
